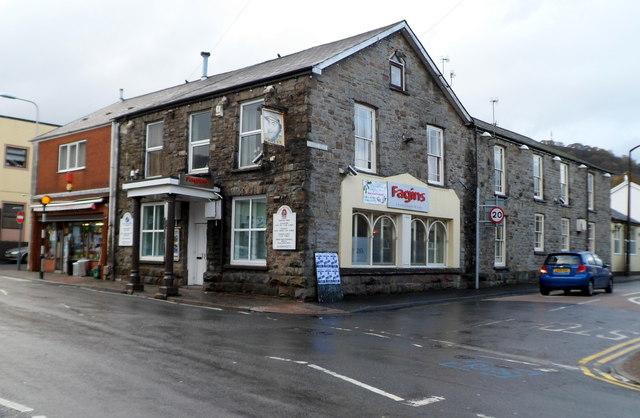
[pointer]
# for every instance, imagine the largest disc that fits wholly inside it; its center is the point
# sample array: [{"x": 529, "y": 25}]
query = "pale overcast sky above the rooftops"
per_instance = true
[{"x": 565, "y": 70}]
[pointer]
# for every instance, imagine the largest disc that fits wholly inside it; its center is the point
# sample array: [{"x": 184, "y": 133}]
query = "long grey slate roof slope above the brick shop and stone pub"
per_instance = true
[{"x": 312, "y": 59}]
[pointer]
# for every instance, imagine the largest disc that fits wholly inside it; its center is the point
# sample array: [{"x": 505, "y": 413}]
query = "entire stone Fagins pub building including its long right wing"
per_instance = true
[{"x": 357, "y": 148}]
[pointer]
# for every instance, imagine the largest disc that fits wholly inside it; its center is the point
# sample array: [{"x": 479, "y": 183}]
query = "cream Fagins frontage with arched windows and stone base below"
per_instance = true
[{"x": 398, "y": 234}]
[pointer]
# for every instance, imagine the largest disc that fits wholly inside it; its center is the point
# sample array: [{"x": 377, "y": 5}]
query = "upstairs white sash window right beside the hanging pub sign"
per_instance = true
[{"x": 250, "y": 145}]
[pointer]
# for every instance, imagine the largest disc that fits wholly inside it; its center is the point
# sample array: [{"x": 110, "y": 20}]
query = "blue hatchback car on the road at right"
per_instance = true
[{"x": 569, "y": 270}]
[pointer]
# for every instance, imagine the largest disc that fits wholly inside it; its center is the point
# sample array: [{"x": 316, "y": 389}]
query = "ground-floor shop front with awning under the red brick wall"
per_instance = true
[{"x": 75, "y": 234}]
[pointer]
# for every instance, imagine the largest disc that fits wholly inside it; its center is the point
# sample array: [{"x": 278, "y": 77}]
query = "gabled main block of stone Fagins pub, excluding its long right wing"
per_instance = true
[{"x": 372, "y": 147}]
